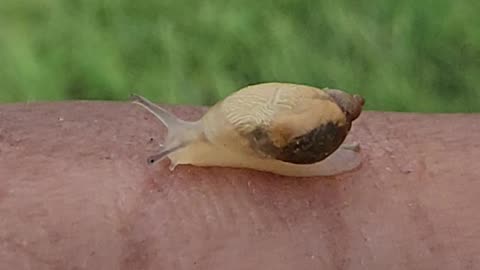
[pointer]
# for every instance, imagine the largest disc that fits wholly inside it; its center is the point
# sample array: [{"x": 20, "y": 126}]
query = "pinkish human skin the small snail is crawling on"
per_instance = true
[{"x": 76, "y": 192}]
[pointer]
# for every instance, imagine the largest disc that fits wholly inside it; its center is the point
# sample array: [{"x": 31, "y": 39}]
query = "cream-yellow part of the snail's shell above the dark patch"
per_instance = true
[{"x": 273, "y": 105}]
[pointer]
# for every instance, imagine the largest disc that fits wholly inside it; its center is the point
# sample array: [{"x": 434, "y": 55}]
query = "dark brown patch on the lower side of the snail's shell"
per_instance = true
[{"x": 309, "y": 148}]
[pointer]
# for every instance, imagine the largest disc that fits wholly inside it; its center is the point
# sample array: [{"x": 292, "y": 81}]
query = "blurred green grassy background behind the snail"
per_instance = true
[{"x": 407, "y": 55}]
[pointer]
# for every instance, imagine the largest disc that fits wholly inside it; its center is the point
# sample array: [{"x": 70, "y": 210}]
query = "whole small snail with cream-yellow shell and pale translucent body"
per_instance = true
[{"x": 282, "y": 128}]
